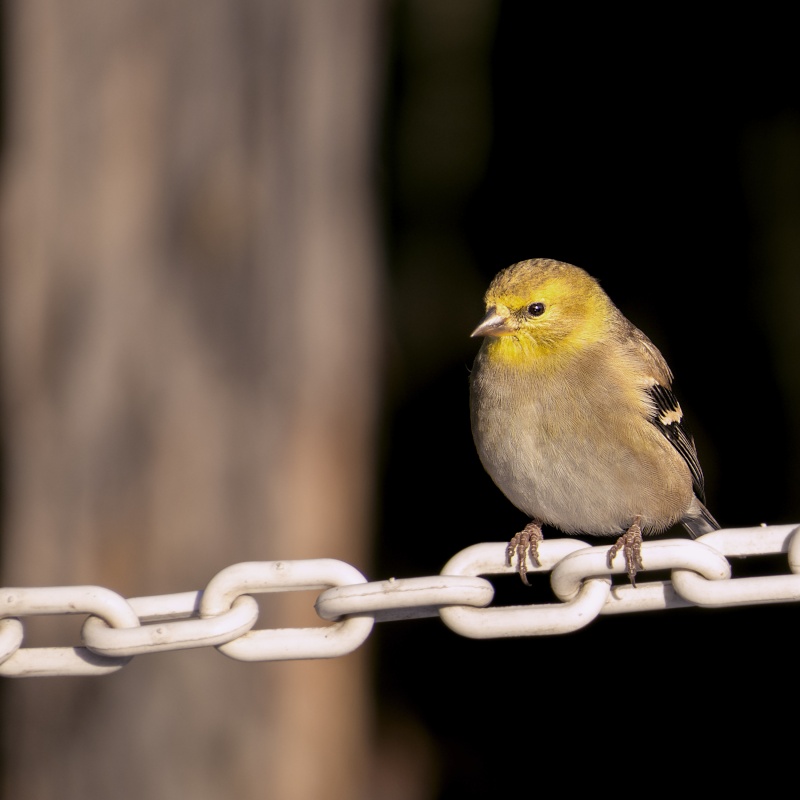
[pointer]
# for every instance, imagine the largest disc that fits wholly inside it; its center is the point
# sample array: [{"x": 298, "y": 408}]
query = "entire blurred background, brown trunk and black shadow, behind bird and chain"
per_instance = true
[{"x": 243, "y": 246}]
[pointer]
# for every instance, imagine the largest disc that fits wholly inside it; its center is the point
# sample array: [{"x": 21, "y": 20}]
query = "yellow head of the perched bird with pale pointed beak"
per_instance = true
[{"x": 541, "y": 308}]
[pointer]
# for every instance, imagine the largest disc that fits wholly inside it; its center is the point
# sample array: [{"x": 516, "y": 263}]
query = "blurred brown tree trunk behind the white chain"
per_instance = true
[{"x": 189, "y": 326}]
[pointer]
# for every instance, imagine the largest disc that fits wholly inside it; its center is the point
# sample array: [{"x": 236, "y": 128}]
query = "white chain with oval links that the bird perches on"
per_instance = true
[{"x": 224, "y": 614}]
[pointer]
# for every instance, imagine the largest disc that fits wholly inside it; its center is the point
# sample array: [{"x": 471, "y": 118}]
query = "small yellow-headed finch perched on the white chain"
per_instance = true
[{"x": 574, "y": 418}]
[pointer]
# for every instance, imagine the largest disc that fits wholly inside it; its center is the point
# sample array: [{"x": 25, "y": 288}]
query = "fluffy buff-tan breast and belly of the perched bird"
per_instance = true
[{"x": 574, "y": 450}]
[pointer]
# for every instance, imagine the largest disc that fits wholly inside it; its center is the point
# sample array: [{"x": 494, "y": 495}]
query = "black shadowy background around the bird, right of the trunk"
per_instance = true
[{"x": 663, "y": 157}]
